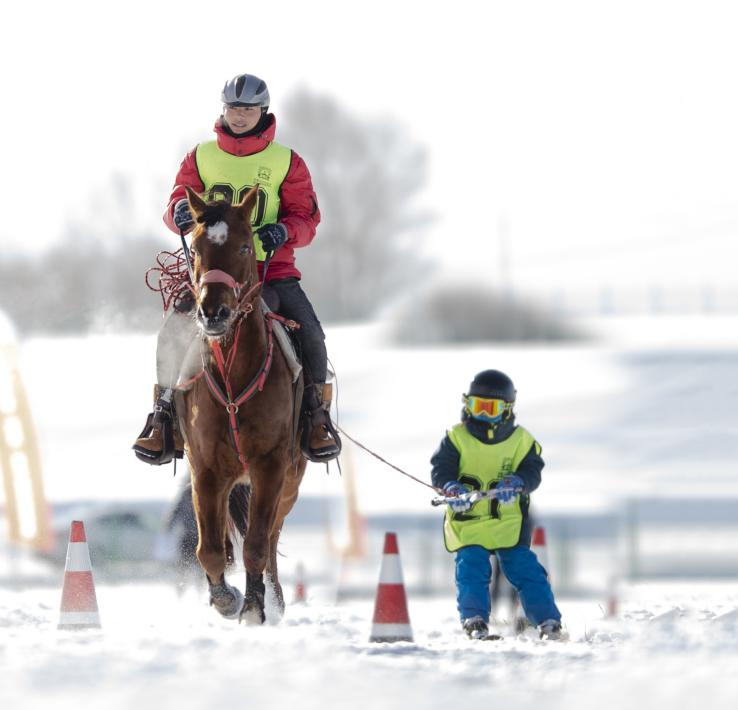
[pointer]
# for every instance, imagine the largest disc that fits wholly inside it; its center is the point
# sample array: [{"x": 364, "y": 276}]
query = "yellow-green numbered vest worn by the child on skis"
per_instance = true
[{"x": 482, "y": 466}]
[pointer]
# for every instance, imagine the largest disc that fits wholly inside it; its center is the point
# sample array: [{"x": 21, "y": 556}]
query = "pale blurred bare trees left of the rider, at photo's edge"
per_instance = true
[{"x": 93, "y": 278}]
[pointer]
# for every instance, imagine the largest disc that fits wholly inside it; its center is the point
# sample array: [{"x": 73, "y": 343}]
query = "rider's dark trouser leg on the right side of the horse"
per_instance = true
[{"x": 286, "y": 297}]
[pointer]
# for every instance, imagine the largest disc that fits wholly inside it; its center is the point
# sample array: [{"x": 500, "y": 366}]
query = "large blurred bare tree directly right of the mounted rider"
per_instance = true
[{"x": 367, "y": 175}]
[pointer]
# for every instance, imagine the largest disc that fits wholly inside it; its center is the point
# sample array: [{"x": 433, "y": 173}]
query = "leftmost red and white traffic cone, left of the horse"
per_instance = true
[{"x": 79, "y": 603}]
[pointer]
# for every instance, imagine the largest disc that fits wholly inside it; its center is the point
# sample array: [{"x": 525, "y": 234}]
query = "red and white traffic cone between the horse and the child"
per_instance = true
[{"x": 391, "y": 620}]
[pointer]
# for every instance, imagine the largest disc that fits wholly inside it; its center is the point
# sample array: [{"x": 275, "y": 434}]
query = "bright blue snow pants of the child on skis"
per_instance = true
[{"x": 522, "y": 569}]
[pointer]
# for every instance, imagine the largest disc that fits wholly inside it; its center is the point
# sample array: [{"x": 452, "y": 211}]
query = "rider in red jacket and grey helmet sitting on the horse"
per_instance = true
[{"x": 286, "y": 216}]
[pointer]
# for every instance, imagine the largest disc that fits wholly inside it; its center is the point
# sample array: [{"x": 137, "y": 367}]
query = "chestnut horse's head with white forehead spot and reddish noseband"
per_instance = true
[{"x": 224, "y": 261}]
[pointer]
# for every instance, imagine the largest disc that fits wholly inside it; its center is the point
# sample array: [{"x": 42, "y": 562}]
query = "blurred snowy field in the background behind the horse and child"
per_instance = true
[{"x": 656, "y": 397}]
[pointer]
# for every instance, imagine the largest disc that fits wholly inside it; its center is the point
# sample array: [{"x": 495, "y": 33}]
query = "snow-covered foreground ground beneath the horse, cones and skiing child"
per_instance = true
[{"x": 671, "y": 647}]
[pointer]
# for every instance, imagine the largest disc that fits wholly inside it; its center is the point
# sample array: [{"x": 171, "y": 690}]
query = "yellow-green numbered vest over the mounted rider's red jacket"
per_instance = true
[{"x": 230, "y": 177}]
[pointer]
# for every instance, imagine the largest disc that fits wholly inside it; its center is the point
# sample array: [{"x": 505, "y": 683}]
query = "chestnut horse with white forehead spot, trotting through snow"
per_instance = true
[{"x": 237, "y": 420}]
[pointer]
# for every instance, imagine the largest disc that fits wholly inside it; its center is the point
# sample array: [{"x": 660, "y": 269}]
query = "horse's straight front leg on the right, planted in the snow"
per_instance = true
[{"x": 266, "y": 486}]
